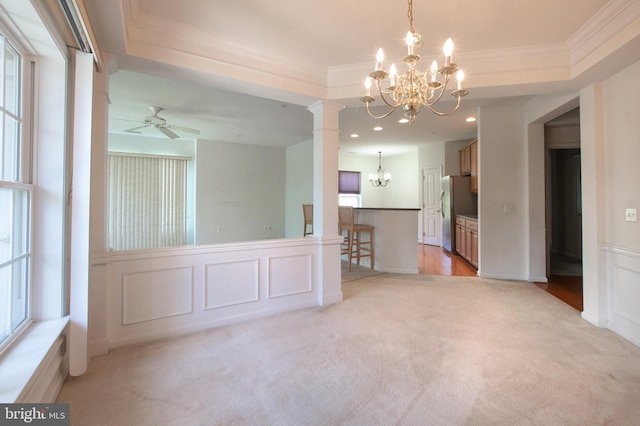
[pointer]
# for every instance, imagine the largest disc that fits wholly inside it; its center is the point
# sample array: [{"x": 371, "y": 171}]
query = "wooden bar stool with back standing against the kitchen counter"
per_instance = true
[{"x": 354, "y": 246}]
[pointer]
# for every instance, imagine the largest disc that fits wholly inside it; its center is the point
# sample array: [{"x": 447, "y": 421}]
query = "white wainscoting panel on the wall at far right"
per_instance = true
[{"x": 624, "y": 293}]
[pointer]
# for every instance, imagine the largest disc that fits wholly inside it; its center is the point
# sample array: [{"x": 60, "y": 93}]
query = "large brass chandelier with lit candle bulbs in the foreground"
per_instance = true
[{"x": 414, "y": 89}]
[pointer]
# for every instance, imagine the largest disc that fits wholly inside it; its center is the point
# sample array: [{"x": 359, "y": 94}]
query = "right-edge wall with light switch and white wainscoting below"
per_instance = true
[{"x": 621, "y": 245}]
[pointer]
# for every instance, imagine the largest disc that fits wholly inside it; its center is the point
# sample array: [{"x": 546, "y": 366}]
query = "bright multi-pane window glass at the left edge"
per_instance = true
[{"x": 15, "y": 199}]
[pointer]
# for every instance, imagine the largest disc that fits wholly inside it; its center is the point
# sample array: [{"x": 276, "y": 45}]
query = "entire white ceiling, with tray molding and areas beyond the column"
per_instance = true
[{"x": 203, "y": 60}]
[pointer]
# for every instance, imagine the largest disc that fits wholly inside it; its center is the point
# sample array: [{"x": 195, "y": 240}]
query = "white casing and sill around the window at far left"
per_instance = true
[{"x": 45, "y": 122}]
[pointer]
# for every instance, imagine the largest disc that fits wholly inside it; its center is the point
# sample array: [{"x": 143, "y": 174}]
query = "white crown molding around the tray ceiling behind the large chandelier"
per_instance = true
[{"x": 165, "y": 41}]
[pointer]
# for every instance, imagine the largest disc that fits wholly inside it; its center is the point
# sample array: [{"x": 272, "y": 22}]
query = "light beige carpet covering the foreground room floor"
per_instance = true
[{"x": 400, "y": 349}]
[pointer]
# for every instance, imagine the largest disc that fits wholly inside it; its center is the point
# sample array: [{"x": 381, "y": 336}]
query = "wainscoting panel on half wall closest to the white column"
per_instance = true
[{"x": 289, "y": 275}]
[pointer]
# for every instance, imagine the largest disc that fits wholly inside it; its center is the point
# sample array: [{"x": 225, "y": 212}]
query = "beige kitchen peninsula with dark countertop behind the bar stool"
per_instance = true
[{"x": 395, "y": 238}]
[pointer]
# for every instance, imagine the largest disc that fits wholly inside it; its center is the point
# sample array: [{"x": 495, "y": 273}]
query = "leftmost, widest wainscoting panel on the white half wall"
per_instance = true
[{"x": 154, "y": 294}]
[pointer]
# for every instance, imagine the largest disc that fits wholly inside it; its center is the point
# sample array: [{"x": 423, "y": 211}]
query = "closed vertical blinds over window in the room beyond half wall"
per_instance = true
[{"x": 146, "y": 201}]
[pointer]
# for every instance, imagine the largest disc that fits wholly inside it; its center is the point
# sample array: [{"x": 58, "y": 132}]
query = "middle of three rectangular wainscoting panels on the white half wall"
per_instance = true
[{"x": 231, "y": 283}]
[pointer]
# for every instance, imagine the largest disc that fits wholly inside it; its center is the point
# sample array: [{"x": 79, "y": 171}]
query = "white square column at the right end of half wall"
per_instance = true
[{"x": 325, "y": 200}]
